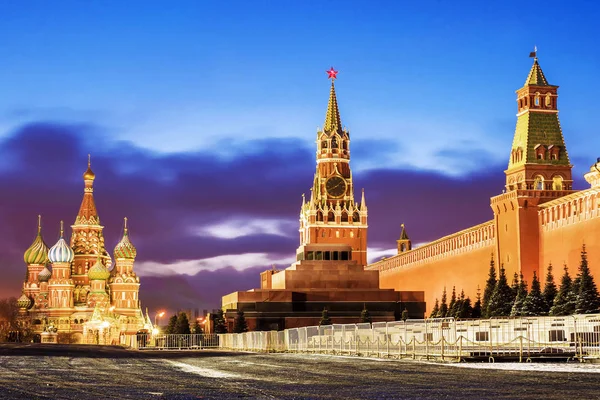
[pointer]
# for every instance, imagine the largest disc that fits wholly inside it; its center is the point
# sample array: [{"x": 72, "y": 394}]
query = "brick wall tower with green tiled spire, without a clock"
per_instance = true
[{"x": 538, "y": 171}]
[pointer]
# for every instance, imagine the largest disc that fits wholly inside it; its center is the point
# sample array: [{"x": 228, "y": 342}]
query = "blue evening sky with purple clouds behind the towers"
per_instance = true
[{"x": 201, "y": 118}]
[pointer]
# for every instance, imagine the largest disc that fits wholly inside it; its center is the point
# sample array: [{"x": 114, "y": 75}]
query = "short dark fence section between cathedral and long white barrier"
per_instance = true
[{"x": 171, "y": 342}]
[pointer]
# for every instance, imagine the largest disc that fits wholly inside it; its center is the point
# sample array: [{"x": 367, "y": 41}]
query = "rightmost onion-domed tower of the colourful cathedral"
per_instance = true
[{"x": 124, "y": 283}]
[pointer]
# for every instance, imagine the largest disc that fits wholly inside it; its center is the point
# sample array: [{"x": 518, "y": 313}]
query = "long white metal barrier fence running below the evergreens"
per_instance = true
[{"x": 520, "y": 338}]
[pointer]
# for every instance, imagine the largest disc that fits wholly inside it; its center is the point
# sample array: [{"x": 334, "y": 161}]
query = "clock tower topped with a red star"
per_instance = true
[{"x": 332, "y": 216}]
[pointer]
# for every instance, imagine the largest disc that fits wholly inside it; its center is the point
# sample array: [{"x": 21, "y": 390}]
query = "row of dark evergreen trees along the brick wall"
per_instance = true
[{"x": 575, "y": 296}]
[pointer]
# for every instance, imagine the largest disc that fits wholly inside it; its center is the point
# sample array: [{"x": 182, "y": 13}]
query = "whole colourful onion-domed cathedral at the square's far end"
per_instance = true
[{"x": 71, "y": 286}]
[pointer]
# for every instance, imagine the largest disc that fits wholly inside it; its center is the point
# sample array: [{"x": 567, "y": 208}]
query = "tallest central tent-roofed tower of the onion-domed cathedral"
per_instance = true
[{"x": 87, "y": 239}]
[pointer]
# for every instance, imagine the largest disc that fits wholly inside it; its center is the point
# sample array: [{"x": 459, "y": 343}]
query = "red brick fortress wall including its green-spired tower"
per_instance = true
[{"x": 535, "y": 220}]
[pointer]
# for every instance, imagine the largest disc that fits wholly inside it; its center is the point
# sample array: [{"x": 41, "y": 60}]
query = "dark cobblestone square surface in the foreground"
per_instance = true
[{"x": 76, "y": 372}]
